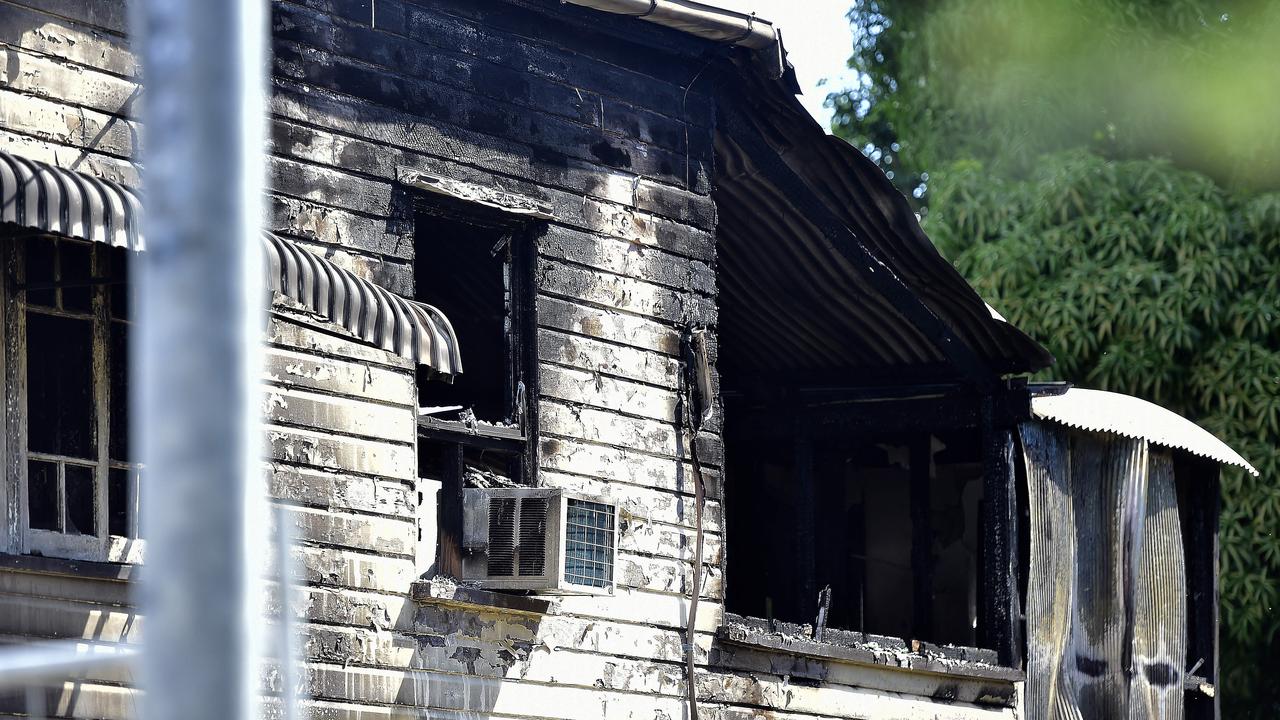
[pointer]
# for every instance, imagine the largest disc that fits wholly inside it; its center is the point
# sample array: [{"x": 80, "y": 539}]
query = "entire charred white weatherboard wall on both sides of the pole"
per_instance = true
[{"x": 540, "y": 101}]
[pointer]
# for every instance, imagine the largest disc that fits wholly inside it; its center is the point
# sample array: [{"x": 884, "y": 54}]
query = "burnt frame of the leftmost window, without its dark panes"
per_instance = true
[{"x": 104, "y": 280}]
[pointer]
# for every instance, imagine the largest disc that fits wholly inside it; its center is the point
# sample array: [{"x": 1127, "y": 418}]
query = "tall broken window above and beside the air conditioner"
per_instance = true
[{"x": 474, "y": 431}]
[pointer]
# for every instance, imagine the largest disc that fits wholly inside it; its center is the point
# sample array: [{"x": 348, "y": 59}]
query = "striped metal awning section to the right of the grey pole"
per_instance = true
[{"x": 413, "y": 330}]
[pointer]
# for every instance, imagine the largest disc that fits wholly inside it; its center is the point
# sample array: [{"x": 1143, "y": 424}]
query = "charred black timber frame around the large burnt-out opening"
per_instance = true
[{"x": 926, "y": 408}]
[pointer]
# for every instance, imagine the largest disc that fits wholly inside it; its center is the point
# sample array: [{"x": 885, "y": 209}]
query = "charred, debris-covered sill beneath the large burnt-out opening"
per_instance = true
[{"x": 844, "y": 646}]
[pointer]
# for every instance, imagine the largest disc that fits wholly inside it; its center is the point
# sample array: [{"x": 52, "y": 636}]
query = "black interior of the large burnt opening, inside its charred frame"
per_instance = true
[{"x": 848, "y": 513}]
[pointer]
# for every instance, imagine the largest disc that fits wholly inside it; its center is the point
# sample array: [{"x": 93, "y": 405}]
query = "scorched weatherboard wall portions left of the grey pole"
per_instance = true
[{"x": 68, "y": 97}]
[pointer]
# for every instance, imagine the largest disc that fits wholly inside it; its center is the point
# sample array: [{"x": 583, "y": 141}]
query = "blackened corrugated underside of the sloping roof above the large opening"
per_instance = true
[{"x": 792, "y": 302}]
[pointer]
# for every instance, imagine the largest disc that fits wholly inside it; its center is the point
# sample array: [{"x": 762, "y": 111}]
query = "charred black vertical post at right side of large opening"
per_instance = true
[{"x": 1000, "y": 625}]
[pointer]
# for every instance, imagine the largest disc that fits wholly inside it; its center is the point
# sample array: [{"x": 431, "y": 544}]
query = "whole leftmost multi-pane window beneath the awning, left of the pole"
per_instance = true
[{"x": 67, "y": 325}]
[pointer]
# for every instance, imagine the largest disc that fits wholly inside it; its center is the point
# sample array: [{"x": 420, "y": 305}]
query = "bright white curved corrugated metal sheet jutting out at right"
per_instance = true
[{"x": 1136, "y": 418}]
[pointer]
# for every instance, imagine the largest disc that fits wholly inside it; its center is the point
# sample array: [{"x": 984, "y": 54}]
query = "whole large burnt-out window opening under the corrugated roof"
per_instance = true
[{"x": 862, "y": 509}]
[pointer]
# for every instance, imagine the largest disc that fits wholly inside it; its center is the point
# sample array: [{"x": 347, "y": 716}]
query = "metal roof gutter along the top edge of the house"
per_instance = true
[{"x": 703, "y": 21}]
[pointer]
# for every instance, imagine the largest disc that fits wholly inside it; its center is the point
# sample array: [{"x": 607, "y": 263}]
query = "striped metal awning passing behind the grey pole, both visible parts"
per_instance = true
[{"x": 54, "y": 200}]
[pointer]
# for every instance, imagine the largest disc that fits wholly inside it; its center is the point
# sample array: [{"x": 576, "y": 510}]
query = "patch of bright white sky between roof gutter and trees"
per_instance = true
[{"x": 819, "y": 43}]
